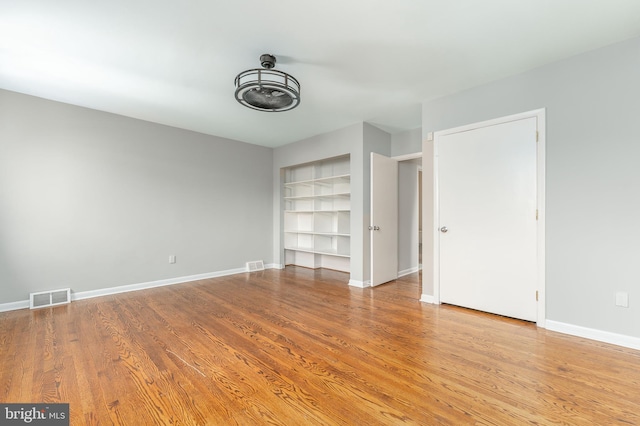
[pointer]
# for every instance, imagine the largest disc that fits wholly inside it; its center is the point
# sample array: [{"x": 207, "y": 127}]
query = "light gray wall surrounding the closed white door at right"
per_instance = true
[{"x": 592, "y": 105}]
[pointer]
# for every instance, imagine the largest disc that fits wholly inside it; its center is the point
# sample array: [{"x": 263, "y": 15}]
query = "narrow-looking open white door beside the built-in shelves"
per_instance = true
[{"x": 384, "y": 219}]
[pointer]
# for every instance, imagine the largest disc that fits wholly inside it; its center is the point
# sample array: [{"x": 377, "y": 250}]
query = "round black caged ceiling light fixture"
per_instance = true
[{"x": 267, "y": 89}]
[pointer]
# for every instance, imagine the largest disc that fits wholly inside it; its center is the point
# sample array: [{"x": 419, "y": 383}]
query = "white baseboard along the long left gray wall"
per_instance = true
[{"x": 12, "y": 306}]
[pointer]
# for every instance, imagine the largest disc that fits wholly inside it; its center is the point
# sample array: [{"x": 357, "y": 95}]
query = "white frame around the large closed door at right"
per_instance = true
[{"x": 540, "y": 170}]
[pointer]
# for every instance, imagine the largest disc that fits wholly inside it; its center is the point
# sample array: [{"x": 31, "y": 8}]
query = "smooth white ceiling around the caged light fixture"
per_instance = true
[{"x": 174, "y": 62}]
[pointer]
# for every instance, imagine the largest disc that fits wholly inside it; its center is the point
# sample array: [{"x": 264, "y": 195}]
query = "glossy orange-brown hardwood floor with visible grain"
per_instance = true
[{"x": 299, "y": 347}]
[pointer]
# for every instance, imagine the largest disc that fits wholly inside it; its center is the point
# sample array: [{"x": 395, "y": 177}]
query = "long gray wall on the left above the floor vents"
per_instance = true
[{"x": 92, "y": 200}]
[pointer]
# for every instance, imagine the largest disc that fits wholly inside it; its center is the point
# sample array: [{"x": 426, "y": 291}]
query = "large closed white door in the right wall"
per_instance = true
[{"x": 486, "y": 186}]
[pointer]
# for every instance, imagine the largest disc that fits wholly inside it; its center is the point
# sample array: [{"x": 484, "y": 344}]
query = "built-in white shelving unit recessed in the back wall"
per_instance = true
[{"x": 317, "y": 214}]
